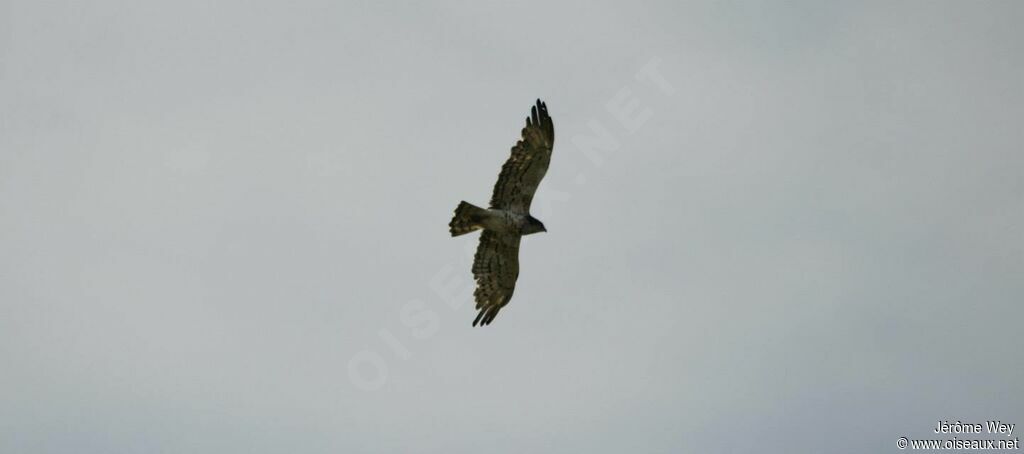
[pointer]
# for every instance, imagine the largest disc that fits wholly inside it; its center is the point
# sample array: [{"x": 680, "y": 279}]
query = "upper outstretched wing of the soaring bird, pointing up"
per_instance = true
[{"x": 525, "y": 170}]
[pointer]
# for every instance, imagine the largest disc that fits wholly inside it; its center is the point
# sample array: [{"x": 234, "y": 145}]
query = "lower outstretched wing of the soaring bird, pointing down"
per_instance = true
[{"x": 496, "y": 268}]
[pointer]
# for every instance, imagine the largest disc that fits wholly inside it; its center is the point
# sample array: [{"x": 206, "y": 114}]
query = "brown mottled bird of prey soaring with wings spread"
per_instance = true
[{"x": 496, "y": 266}]
